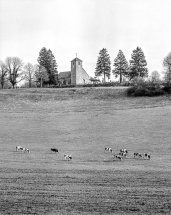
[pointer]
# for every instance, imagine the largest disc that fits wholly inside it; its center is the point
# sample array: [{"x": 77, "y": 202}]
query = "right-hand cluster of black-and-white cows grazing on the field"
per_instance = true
[{"x": 124, "y": 152}]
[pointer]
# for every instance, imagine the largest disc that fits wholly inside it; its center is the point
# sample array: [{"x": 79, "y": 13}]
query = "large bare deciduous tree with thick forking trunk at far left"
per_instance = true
[{"x": 14, "y": 67}]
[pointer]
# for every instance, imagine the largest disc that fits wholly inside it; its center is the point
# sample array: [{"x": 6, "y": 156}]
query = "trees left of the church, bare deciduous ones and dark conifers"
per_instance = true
[{"x": 13, "y": 70}]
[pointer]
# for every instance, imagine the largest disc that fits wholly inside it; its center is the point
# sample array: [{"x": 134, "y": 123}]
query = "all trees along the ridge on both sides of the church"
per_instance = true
[{"x": 13, "y": 70}]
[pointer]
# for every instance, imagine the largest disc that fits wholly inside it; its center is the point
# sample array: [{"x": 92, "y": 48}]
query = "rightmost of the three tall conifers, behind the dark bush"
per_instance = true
[{"x": 138, "y": 64}]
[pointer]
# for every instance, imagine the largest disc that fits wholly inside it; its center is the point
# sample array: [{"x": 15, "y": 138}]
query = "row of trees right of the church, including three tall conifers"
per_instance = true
[{"x": 137, "y": 66}]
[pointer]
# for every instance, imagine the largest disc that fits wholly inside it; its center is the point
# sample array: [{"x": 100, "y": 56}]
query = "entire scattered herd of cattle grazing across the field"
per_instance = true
[{"x": 122, "y": 153}]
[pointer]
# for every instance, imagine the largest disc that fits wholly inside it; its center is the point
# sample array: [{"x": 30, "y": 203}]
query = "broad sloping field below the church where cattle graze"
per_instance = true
[{"x": 82, "y": 122}]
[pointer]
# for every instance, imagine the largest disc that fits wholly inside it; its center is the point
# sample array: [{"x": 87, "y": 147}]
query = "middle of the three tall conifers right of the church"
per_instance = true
[{"x": 120, "y": 66}]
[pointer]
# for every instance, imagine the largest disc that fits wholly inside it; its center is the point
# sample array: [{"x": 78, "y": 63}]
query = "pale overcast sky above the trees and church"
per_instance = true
[{"x": 85, "y": 27}]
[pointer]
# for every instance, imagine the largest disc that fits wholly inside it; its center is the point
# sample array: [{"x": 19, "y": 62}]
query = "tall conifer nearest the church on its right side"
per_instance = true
[{"x": 103, "y": 64}]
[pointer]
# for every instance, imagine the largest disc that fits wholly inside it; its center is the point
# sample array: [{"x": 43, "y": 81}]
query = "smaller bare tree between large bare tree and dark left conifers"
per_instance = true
[{"x": 29, "y": 73}]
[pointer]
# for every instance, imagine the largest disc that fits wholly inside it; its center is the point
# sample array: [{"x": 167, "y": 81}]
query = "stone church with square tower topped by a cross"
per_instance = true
[{"x": 76, "y": 76}]
